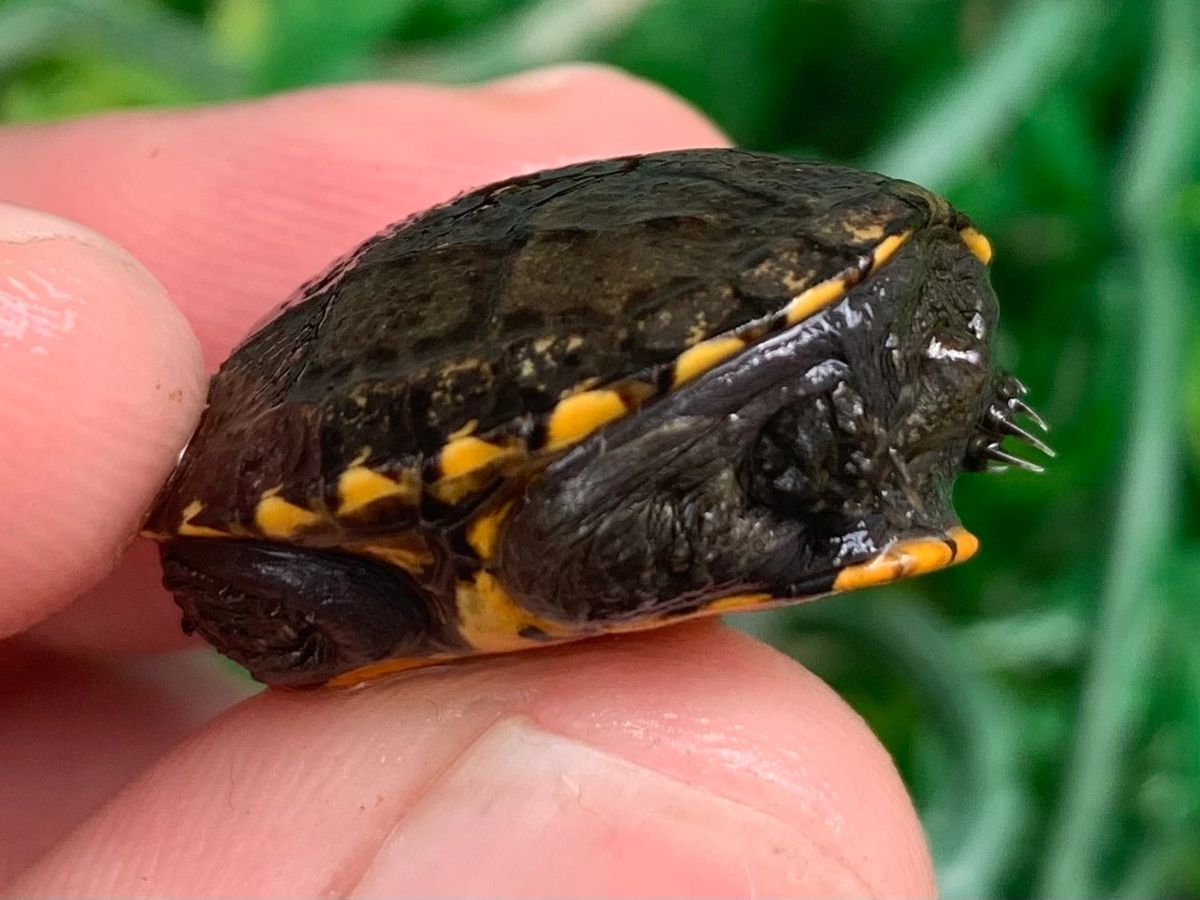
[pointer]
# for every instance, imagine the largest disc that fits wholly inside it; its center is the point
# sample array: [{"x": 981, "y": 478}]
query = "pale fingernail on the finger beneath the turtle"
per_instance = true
[{"x": 530, "y": 813}]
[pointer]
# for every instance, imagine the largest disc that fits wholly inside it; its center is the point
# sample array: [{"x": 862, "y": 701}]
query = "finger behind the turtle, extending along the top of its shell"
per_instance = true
[{"x": 233, "y": 207}]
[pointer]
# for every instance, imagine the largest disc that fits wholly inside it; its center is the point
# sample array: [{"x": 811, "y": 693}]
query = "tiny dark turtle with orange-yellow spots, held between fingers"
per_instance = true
[{"x": 392, "y": 466}]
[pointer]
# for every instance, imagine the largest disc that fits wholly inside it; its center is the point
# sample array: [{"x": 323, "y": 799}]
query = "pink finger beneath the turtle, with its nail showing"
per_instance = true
[{"x": 691, "y": 763}]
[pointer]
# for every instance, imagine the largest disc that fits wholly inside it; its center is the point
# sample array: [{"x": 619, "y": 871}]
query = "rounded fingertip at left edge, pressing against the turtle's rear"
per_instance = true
[{"x": 100, "y": 385}]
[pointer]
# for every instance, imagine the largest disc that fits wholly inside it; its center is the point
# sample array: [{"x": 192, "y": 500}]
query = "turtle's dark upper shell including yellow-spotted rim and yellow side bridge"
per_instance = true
[{"x": 394, "y": 409}]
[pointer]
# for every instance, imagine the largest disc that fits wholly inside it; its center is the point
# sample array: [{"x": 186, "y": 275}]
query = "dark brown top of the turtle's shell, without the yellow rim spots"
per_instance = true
[{"x": 481, "y": 316}]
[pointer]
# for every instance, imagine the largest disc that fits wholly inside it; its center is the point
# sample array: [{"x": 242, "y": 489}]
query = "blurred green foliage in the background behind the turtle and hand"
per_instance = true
[{"x": 1043, "y": 703}]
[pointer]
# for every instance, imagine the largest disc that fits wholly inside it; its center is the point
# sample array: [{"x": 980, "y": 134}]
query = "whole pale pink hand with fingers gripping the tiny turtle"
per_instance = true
[{"x": 692, "y": 761}]
